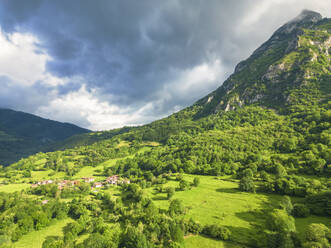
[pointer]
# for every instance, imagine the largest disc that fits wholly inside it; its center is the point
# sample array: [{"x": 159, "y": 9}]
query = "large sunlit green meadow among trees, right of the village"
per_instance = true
[{"x": 219, "y": 201}]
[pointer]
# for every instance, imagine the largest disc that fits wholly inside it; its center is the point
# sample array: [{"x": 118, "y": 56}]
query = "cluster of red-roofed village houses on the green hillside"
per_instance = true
[{"x": 112, "y": 180}]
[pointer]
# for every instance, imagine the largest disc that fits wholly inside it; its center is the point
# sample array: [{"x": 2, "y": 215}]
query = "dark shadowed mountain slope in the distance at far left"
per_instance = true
[{"x": 23, "y": 134}]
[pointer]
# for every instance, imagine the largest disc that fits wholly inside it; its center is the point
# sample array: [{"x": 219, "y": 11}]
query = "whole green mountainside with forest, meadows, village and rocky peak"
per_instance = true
[{"x": 249, "y": 165}]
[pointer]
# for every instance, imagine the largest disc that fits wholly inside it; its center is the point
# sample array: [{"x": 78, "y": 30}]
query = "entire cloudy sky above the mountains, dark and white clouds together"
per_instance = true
[{"x": 111, "y": 63}]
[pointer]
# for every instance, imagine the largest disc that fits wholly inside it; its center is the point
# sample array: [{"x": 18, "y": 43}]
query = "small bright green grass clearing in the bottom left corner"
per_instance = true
[{"x": 35, "y": 239}]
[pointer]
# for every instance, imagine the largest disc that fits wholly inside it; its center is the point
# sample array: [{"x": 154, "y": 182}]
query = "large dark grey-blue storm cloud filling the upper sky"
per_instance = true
[{"x": 125, "y": 47}]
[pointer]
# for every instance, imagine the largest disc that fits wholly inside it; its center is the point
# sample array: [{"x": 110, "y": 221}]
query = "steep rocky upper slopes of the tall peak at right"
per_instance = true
[{"x": 296, "y": 55}]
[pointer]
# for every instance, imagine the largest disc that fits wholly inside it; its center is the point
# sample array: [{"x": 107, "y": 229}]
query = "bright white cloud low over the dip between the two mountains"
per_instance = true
[{"x": 85, "y": 108}]
